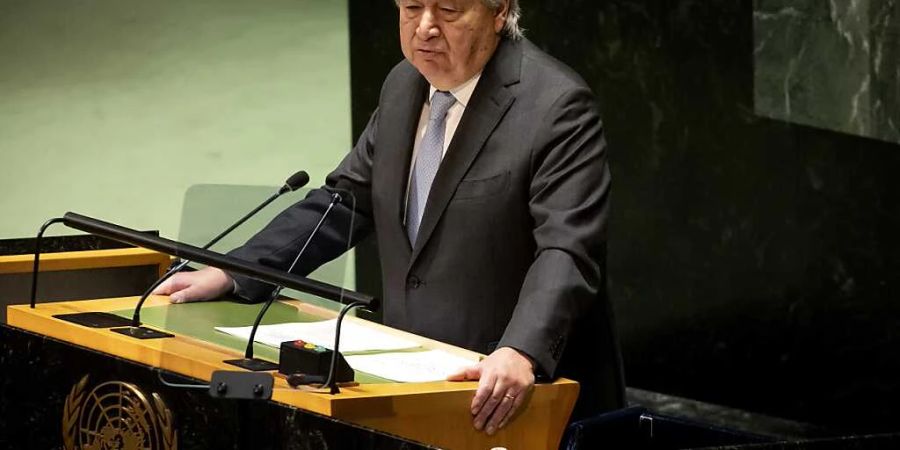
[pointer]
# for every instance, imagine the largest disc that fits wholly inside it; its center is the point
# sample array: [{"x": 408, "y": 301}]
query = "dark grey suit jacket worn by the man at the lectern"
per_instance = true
[{"x": 511, "y": 250}]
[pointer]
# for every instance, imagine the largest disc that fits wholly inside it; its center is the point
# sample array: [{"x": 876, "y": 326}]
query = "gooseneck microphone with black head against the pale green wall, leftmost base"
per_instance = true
[{"x": 294, "y": 182}]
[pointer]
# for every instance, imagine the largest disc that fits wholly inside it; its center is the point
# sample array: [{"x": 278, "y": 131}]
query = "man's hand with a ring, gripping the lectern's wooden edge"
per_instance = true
[{"x": 506, "y": 378}]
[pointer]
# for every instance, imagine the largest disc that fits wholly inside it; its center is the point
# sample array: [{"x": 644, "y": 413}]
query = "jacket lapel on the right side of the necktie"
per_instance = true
[{"x": 488, "y": 105}]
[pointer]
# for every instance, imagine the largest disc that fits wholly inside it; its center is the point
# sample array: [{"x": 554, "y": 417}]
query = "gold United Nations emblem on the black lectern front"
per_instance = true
[{"x": 116, "y": 416}]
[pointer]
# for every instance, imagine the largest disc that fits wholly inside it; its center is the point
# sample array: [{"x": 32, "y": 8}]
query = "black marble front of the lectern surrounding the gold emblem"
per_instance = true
[{"x": 38, "y": 373}]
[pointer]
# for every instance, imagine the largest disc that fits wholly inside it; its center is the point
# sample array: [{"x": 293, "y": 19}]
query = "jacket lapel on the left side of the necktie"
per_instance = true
[{"x": 399, "y": 138}]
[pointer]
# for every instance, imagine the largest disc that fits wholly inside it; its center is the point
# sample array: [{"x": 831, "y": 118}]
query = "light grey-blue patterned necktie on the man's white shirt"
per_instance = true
[{"x": 428, "y": 160}]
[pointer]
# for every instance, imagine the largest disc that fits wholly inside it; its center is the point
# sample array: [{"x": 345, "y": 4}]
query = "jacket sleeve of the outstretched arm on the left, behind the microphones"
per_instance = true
[{"x": 278, "y": 243}]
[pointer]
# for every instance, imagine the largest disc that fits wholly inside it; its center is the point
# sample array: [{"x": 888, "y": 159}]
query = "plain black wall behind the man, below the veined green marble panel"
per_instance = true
[{"x": 751, "y": 261}]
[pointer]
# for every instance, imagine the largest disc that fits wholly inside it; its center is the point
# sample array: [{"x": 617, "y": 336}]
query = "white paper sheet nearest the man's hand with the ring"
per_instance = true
[{"x": 410, "y": 367}]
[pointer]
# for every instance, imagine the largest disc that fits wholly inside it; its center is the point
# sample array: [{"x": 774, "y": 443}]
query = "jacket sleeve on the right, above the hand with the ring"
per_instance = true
[{"x": 569, "y": 204}]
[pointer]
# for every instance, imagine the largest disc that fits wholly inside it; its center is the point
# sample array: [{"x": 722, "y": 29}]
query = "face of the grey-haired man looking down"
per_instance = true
[{"x": 449, "y": 41}]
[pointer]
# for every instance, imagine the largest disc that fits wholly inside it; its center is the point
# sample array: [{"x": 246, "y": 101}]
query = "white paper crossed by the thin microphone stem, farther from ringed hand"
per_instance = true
[{"x": 354, "y": 337}]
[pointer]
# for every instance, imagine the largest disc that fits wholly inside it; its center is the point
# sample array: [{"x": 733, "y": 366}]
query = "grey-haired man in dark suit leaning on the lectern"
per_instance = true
[{"x": 483, "y": 174}]
